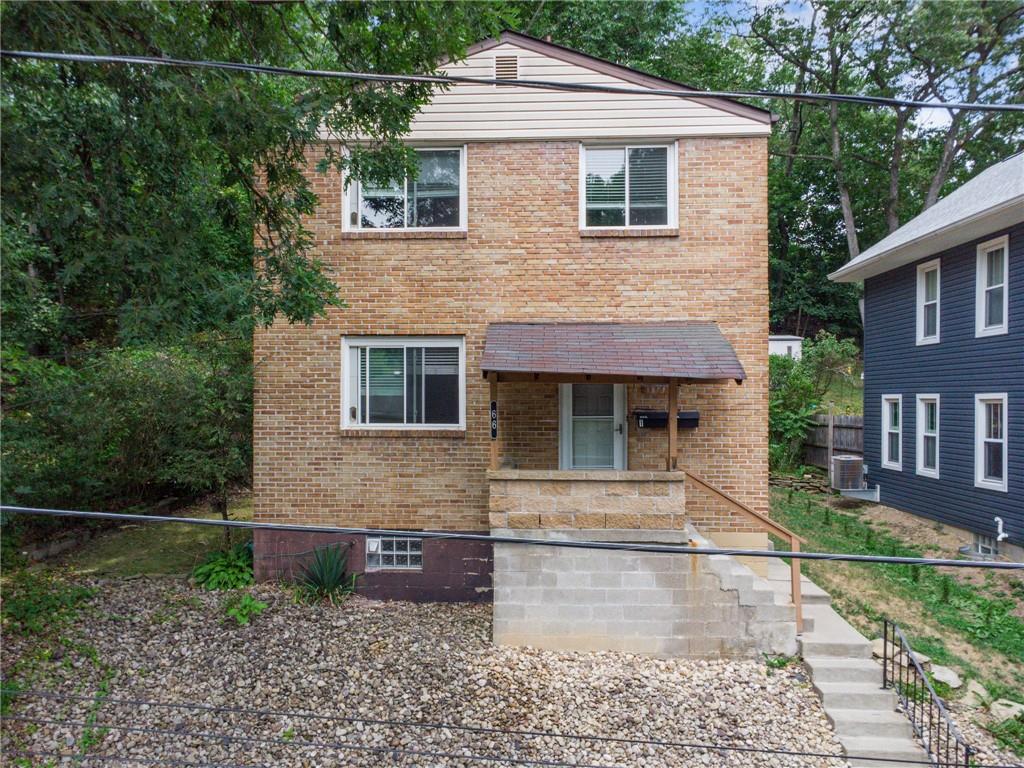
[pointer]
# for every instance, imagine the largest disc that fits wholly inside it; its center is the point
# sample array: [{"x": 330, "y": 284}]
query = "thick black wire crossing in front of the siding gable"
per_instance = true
[{"x": 536, "y": 84}]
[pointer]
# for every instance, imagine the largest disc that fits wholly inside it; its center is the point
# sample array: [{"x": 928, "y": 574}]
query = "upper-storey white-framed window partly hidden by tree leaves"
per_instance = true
[{"x": 436, "y": 200}]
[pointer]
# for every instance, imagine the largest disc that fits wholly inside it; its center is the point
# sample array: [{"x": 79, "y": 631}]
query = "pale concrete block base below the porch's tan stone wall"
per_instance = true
[{"x": 667, "y": 606}]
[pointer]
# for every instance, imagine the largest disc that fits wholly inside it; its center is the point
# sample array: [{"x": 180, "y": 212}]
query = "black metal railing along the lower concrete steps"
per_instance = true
[{"x": 935, "y": 730}]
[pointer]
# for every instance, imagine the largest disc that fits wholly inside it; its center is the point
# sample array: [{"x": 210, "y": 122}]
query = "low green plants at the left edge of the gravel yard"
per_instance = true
[{"x": 37, "y": 603}]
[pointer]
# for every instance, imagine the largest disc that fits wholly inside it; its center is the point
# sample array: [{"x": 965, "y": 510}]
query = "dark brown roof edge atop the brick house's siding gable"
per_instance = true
[{"x": 628, "y": 74}]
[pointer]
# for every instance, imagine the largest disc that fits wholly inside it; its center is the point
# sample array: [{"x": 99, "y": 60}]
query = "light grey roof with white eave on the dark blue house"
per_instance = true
[{"x": 992, "y": 201}]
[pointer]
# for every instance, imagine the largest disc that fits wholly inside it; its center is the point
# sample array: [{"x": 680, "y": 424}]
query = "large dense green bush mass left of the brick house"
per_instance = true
[{"x": 127, "y": 426}]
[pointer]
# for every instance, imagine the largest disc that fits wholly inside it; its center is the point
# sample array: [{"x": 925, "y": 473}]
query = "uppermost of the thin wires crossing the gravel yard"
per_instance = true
[{"x": 448, "y": 727}]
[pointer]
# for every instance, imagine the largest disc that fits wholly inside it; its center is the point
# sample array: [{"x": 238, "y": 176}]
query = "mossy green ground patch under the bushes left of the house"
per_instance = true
[{"x": 154, "y": 549}]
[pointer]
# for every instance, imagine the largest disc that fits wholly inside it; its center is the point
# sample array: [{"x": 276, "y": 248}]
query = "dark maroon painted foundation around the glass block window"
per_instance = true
[{"x": 453, "y": 572}]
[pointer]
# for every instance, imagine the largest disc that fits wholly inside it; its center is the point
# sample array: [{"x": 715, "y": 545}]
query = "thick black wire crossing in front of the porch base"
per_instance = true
[{"x": 487, "y": 538}]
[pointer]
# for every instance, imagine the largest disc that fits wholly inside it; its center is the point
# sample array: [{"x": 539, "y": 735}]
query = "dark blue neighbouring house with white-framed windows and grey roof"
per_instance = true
[{"x": 945, "y": 361}]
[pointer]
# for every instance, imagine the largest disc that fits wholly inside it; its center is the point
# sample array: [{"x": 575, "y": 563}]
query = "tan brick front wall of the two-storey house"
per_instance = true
[{"x": 523, "y": 260}]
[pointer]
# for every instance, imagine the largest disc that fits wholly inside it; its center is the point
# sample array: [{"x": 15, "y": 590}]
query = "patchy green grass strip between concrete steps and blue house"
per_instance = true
[{"x": 959, "y": 624}]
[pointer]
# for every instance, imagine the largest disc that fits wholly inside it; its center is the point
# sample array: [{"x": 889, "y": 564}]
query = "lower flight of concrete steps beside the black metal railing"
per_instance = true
[{"x": 849, "y": 681}]
